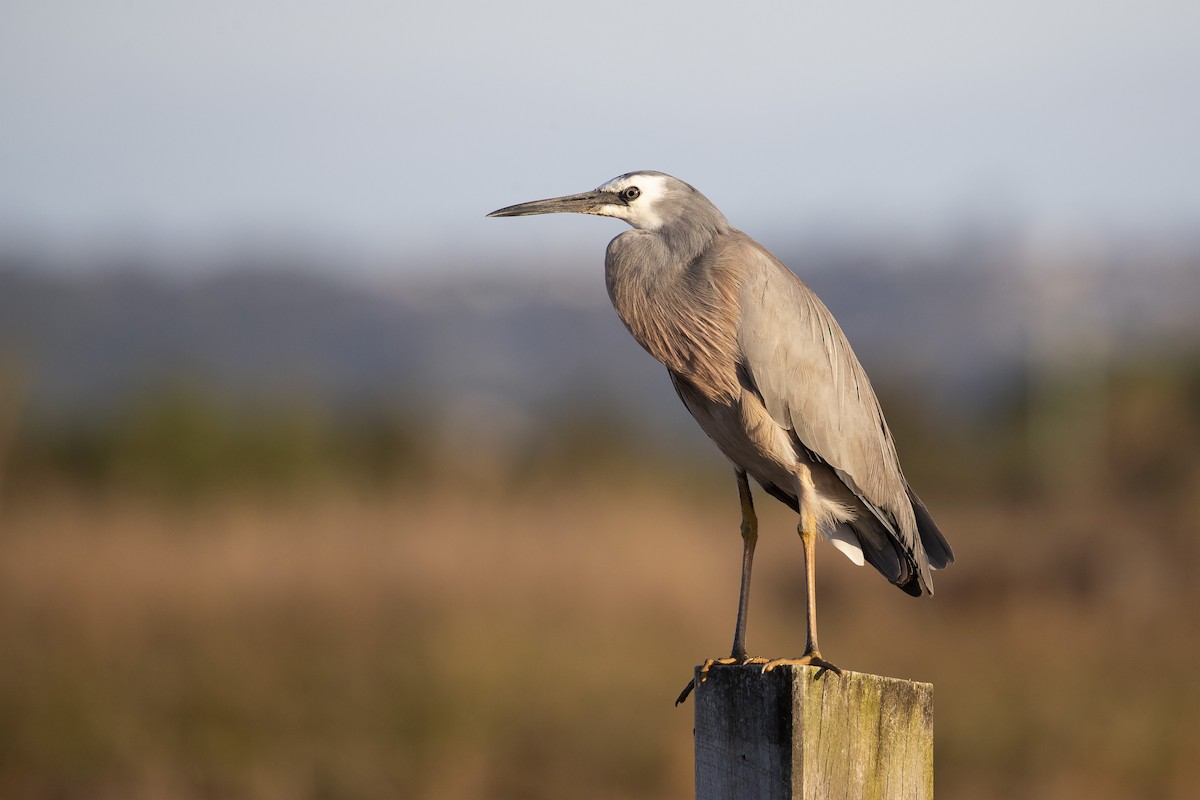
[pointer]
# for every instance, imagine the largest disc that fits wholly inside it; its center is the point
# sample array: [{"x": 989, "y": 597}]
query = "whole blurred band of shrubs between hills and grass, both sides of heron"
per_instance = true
[{"x": 1124, "y": 428}]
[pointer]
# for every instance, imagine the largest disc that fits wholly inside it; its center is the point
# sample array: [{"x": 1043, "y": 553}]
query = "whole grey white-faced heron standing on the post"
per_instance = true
[{"x": 769, "y": 375}]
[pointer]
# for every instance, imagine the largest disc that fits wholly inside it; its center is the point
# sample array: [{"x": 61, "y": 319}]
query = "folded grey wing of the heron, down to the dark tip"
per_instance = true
[{"x": 811, "y": 382}]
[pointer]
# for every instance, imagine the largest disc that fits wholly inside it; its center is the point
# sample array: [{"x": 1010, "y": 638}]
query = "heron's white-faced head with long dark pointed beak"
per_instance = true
[{"x": 647, "y": 201}]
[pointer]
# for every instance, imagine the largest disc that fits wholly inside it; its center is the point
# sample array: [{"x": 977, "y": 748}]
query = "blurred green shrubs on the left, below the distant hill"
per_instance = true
[{"x": 182, "y": 443}]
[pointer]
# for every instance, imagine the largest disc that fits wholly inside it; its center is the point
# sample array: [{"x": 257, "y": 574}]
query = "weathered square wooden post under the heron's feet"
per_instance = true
[{"x": 783, "y": 736}]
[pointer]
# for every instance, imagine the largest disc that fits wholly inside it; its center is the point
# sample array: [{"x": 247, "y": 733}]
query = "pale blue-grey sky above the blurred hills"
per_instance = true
[{"x": 391, "y": 129}]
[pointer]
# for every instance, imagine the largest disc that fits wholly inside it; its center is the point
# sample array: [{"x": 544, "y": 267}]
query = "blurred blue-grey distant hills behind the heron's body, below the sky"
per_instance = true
[{"x": 949, "y": 328}]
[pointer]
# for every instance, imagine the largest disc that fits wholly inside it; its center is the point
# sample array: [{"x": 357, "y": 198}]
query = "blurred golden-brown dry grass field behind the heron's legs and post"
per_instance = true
[{"x": 529, "y": 643}]
